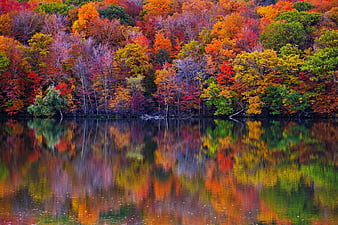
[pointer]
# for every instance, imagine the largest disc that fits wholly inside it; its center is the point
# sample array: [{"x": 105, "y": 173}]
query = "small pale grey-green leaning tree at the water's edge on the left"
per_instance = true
[{"x": 49, "y": 105}]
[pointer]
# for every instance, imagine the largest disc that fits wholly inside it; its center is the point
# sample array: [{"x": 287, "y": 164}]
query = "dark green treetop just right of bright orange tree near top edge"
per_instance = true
[{"x": 116, "y": 12}]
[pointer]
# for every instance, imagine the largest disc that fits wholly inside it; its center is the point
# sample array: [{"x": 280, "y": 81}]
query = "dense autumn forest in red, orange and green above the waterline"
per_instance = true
[{"x": 169, "y": 57}]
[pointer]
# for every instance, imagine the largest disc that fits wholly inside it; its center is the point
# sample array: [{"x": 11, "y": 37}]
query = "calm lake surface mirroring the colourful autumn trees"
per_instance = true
[{"x": 180, "y": 172}]
